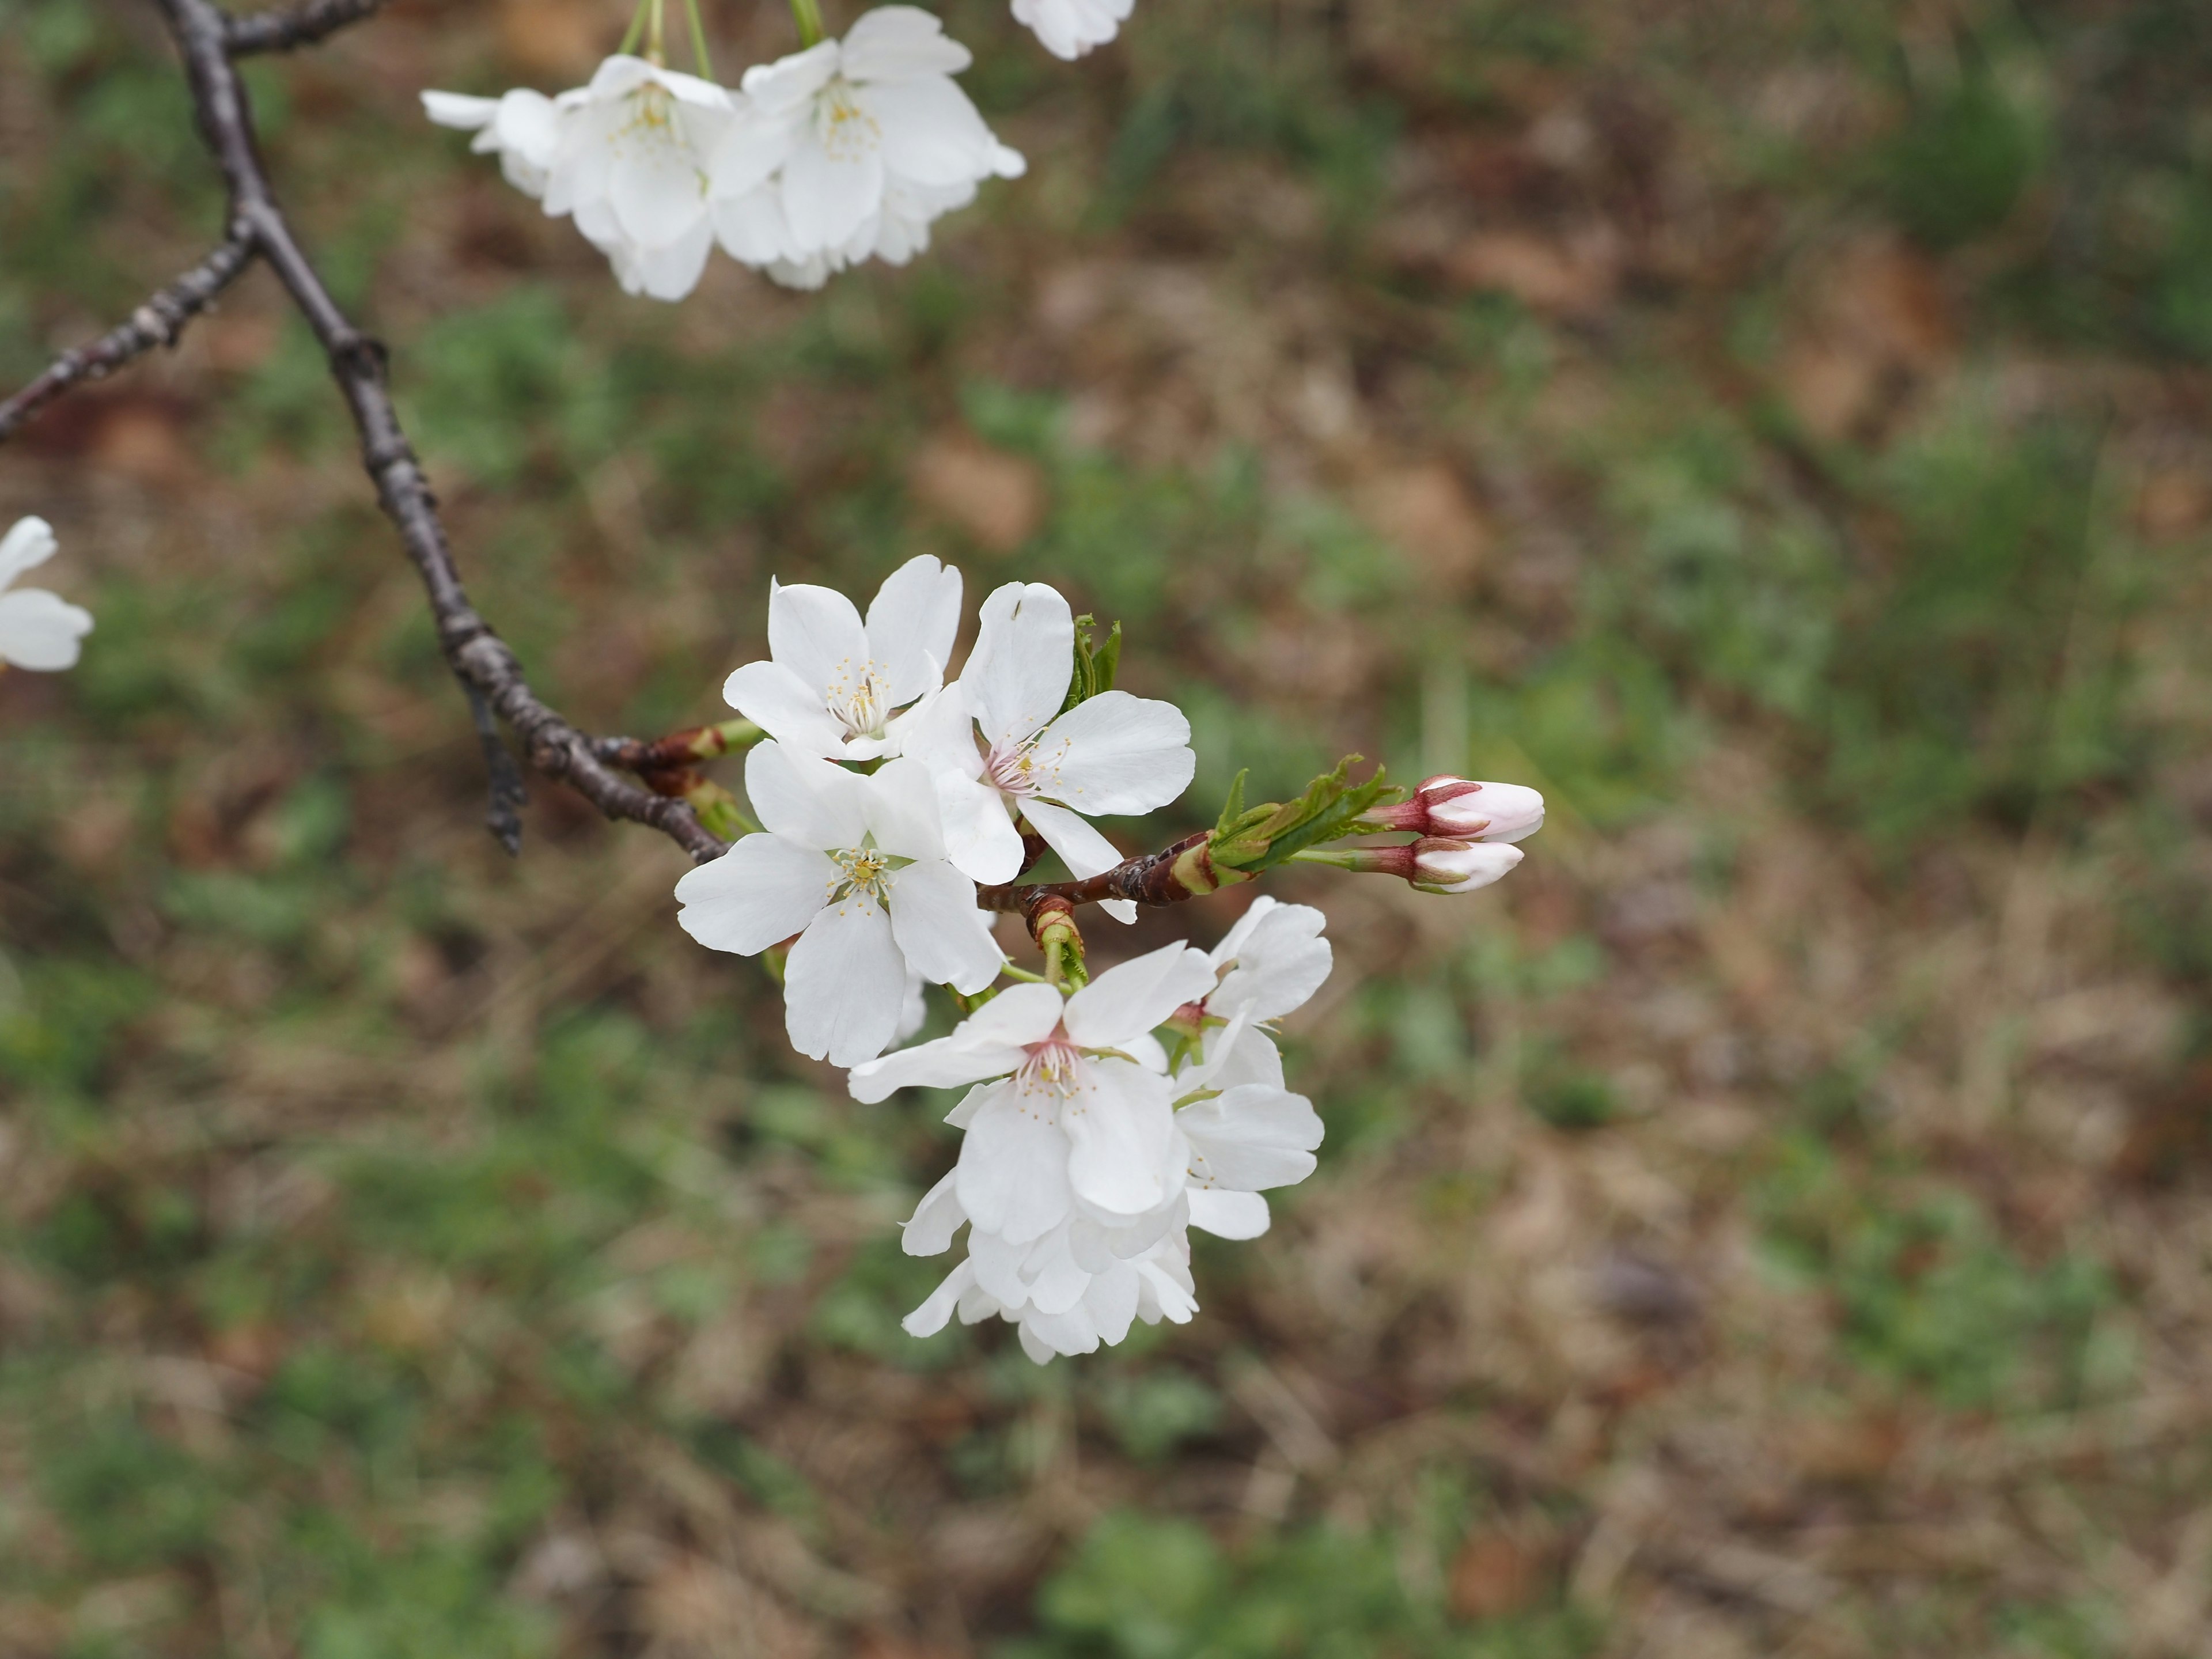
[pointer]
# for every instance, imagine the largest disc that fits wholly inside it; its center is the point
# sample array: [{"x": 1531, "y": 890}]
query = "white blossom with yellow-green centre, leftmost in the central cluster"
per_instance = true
[{"x": 855, "y": 866}]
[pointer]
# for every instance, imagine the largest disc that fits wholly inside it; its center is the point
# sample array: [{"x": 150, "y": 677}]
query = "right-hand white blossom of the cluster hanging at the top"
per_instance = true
[{"x": 851, "y": 149}]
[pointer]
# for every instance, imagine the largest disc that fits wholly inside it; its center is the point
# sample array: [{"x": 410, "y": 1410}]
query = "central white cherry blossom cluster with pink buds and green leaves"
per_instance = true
[{"x": 1105, "y": 1116}]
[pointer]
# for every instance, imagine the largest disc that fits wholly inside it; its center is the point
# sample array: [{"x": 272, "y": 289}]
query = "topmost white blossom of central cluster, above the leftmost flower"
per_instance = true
[{"x": 833, "y": 685}]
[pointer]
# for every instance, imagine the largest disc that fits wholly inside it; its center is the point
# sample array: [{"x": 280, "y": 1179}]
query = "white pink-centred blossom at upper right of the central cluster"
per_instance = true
[{"x": 1005, "y": 749}]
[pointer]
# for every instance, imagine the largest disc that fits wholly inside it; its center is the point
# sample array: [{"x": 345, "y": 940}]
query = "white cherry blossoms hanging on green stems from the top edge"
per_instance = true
[{"x": 822, "y": 160}]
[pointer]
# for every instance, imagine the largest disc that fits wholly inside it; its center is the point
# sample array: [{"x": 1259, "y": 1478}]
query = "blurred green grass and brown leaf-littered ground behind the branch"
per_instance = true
[{"x": 1768, "y": 1224}]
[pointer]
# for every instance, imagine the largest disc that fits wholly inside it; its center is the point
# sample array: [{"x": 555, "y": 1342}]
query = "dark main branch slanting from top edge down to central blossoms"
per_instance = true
[{"x": 357, "y": 362}]
